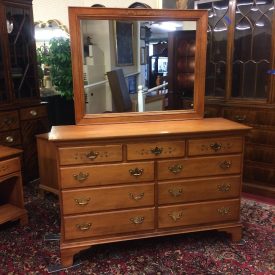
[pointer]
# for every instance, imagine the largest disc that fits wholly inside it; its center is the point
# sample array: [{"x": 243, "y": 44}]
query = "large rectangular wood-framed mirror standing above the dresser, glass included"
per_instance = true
[{"x": 137, "y": 64}]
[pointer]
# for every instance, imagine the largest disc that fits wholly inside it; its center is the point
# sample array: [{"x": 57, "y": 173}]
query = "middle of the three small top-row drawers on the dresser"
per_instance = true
[{"x": 152, "y": 150}]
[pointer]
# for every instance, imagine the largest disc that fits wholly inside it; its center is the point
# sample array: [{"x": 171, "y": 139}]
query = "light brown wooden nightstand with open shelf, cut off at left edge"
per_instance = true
[{"x": 11, "y": 190}]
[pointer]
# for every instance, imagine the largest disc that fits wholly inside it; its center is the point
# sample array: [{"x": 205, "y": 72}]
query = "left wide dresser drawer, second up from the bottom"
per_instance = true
[{"x": 107, "y": 198}]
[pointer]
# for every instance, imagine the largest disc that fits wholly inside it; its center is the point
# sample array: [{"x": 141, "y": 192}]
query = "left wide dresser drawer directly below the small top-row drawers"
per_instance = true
[{"x": 92, "y": 175}]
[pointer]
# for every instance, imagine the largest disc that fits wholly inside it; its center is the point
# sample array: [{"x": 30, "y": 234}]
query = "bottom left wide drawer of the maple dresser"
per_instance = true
[{"x": 92, "y": 225}]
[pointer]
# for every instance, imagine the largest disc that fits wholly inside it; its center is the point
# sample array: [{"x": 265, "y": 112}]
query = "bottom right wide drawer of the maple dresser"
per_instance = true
[{"x": 198, "y": 213}]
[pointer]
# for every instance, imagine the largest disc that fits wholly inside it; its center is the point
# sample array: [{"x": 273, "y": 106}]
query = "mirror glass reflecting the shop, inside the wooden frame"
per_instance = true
[{"x": 137, "y": 66}]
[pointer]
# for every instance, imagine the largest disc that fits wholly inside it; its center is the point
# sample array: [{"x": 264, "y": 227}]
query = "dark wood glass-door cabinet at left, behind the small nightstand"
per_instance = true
[{"x": 22, "y": 115}]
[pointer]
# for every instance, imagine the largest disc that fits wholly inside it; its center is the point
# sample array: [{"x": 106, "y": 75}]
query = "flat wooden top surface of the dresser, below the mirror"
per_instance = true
[{"x": 148, "y": 129}]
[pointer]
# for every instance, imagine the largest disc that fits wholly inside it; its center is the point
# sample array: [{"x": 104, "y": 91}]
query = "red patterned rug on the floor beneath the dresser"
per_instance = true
[{"x": 23, "y": 250}]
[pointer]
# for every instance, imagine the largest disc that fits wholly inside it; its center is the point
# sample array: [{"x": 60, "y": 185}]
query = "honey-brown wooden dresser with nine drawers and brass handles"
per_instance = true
[{"x": 137, "y": 180}]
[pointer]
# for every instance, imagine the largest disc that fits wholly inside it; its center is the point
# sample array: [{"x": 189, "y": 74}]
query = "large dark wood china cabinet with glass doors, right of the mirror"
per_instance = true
[{"x": 240, "y": 85}]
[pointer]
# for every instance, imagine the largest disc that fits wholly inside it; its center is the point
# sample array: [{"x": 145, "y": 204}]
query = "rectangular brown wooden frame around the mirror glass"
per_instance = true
[{"x": 76, "y": 14}]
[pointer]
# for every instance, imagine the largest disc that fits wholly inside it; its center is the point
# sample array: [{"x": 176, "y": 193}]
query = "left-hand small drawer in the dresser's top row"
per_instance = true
[{"x": 90, "y": 154}]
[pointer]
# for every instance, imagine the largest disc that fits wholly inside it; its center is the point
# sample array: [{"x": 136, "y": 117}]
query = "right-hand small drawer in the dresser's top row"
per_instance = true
[{"x": 215, "y": 146}]
